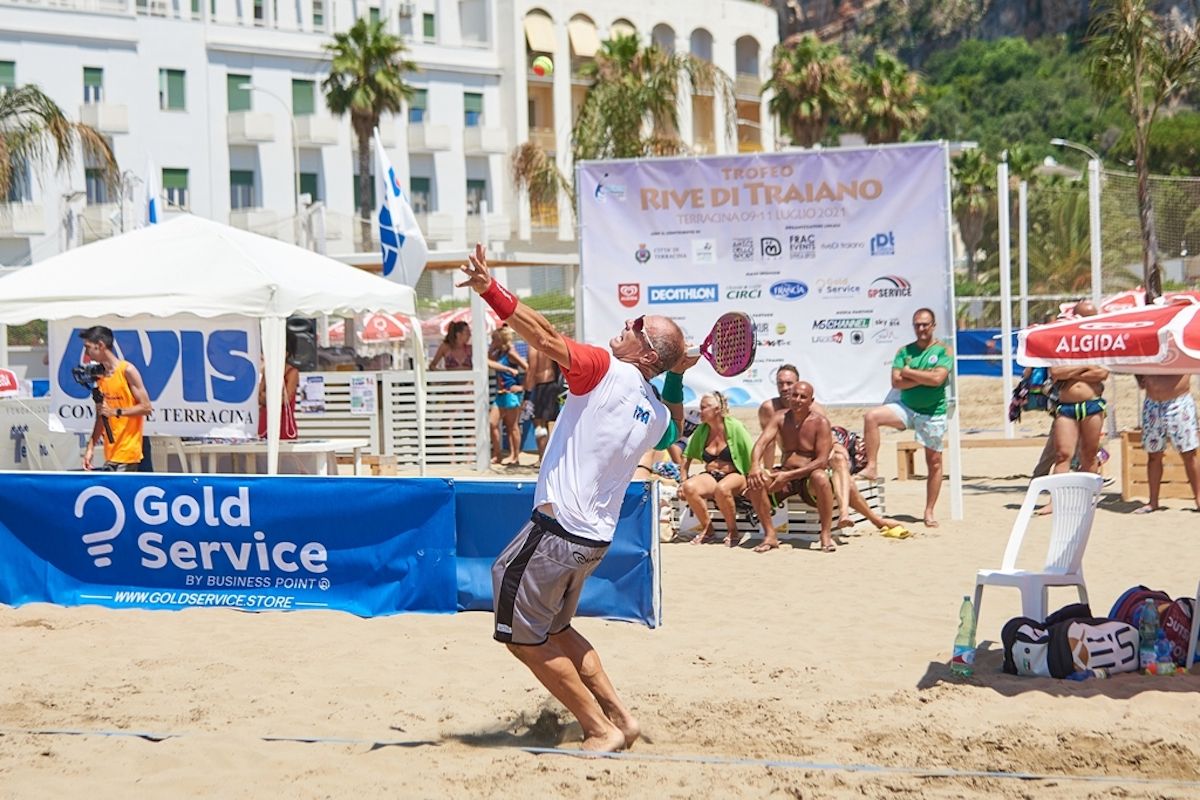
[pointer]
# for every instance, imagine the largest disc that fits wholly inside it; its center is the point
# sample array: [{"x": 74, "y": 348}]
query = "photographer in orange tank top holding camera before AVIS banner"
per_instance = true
[{"x": 122, "y": 402}]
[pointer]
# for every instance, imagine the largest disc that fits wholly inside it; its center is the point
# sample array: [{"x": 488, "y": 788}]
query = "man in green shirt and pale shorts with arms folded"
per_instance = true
[{"x": 920, "y": 372}]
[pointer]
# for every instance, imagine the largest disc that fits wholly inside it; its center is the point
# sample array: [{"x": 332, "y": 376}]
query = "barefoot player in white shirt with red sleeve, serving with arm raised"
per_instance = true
[{"x": 611, "y": 418}]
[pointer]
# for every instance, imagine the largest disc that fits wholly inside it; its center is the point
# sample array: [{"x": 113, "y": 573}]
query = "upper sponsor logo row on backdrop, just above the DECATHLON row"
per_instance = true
[{"x": 764, "y": 249}]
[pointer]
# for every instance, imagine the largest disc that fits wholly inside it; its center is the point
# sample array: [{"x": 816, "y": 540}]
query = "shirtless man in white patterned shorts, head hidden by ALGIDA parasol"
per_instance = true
[{"x": 1168, "y": 413}]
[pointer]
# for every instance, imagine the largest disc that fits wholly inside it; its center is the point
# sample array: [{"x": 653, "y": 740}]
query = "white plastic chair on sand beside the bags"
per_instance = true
[{"x": 1073, "y": 497}]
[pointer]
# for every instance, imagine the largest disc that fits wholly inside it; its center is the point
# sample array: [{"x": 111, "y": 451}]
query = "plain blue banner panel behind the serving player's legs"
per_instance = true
[{"x": 623, "y": 587}]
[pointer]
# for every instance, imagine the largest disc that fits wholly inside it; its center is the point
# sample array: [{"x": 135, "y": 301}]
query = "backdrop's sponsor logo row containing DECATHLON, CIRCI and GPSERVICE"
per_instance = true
[{"x": 885, "y": 287}]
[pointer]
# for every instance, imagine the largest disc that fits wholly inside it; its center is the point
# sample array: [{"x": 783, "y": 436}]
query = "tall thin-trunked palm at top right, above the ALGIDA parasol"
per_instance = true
[{"x": 1148, "y": 62}]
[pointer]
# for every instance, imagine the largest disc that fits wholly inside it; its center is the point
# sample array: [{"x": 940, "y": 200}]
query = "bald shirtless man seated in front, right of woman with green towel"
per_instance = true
[{"x": 807, "y": 441}]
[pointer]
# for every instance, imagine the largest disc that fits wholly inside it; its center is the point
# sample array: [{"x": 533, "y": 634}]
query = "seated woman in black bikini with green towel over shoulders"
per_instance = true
[{"x": 723, "y": 444}]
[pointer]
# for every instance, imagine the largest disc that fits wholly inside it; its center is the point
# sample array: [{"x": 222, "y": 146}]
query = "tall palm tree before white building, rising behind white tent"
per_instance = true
[{"x": 367, "y": 79}]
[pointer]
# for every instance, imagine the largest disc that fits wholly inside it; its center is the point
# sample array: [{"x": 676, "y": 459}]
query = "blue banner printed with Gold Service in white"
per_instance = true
[{"x": 164, "y": 542}]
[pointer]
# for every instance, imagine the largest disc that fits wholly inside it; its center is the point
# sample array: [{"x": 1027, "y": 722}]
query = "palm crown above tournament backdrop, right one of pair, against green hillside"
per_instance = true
[{"x": 886, "y": 100}]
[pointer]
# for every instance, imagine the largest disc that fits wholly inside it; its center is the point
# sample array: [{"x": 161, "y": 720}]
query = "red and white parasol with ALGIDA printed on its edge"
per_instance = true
[{"x": 1163, "y": 339}]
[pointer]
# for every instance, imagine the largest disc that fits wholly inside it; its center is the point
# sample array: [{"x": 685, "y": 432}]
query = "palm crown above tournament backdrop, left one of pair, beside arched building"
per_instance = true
[{"x": 811, "y": 82}]
